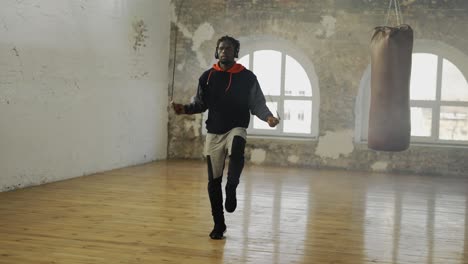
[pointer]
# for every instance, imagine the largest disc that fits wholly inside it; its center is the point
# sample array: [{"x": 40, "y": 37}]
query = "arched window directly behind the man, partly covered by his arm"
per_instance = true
[{"x": 289, "y": 83}]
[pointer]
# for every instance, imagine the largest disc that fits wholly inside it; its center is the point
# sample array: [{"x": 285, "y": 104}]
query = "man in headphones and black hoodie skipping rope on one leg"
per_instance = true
[{"x": 230, "y": 92}]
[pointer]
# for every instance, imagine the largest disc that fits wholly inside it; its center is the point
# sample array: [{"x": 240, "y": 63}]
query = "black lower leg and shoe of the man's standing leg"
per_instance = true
[{"x": 216, "y": 200}]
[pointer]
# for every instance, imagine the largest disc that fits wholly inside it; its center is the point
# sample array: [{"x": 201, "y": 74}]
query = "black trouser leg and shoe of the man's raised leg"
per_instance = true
[{"x": 236, "y": 164}]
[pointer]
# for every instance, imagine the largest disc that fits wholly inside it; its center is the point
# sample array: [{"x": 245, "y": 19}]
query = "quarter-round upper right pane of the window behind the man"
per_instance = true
[{"x": 296, "y": 81}]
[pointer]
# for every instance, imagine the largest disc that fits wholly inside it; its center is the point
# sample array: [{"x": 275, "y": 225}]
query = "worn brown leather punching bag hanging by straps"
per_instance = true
[{"x": 389, "y": 113}]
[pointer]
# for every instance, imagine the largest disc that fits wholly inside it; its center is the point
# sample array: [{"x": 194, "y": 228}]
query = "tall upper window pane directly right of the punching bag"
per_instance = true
[{"x": 423, "y": 77}]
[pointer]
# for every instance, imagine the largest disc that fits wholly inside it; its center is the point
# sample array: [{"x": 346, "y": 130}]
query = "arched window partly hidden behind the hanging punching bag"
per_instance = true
[{"x": 438, "y": 95}]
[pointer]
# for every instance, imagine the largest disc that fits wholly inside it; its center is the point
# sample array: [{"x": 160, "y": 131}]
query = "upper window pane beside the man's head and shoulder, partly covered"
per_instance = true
[{"x": 267, "y": 67}]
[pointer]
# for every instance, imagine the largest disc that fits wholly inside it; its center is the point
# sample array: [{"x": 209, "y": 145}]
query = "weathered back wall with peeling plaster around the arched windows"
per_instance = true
[{"x": 335, "y": 35}]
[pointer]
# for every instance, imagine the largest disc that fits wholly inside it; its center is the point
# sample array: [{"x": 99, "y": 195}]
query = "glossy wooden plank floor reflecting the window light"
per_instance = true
[{"x": 159, "y": 213}]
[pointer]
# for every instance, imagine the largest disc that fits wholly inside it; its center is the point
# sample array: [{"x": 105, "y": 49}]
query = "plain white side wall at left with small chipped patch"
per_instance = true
[{"x": 77, "y": 94}]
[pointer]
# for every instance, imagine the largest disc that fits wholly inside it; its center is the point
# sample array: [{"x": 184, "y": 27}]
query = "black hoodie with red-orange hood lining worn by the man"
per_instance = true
[{"x": 230, "y": 96}]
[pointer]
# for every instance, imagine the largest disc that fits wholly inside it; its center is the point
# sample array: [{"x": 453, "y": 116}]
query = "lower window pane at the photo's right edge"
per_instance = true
[{"x": 453, "y": 123}]
